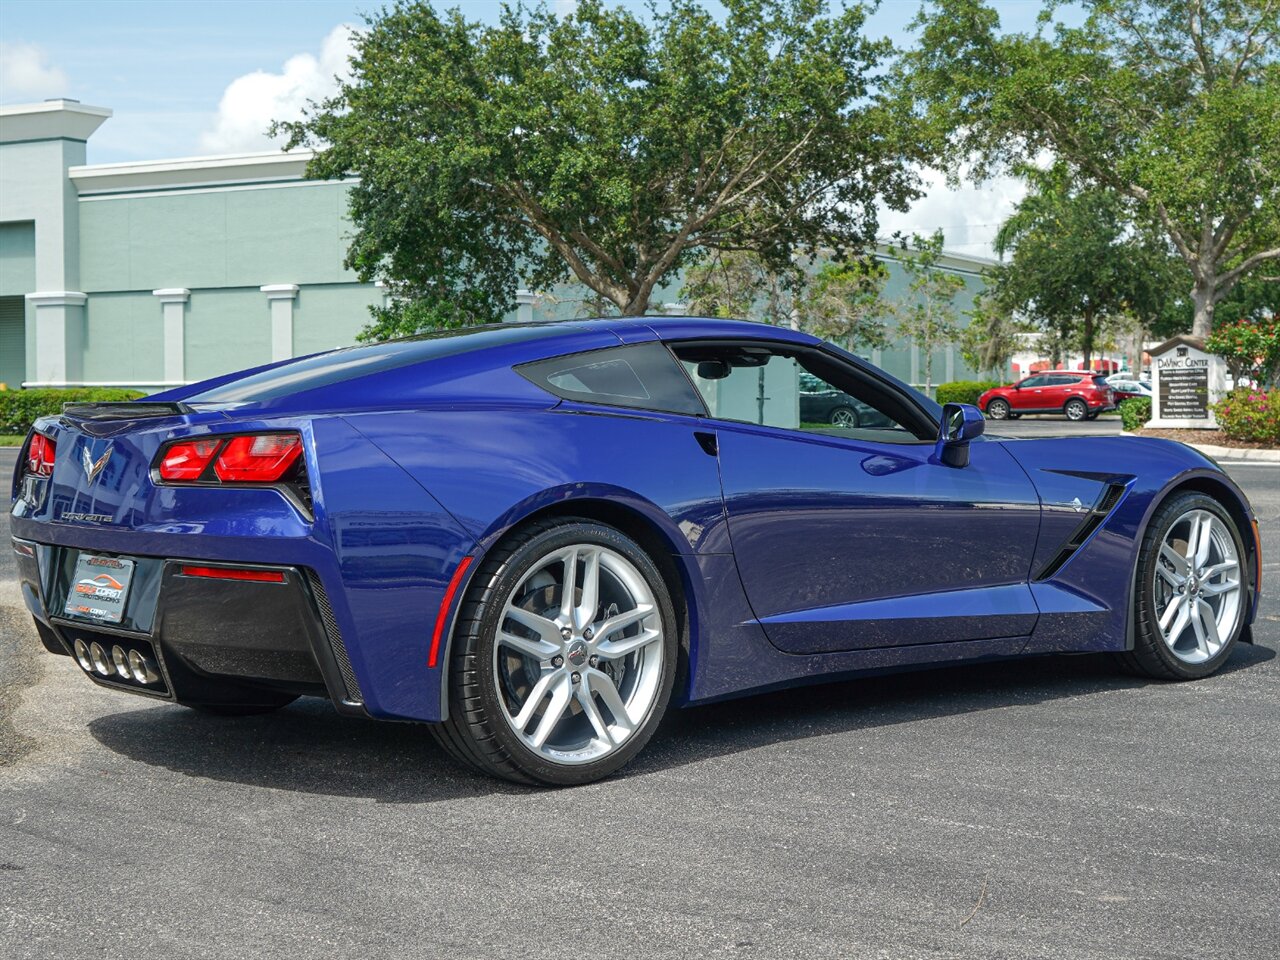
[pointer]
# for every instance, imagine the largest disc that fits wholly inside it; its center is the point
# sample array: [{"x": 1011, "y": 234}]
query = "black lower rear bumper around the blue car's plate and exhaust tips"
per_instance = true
[{"x": 217, "y": 641}]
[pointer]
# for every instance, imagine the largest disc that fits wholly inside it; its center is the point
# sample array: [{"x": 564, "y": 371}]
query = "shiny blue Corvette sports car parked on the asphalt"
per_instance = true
[{"x": 540, "y": 538}]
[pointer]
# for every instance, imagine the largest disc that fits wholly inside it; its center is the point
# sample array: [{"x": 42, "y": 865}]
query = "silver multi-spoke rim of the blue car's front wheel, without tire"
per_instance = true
[{"x": 1197, "y": 587}]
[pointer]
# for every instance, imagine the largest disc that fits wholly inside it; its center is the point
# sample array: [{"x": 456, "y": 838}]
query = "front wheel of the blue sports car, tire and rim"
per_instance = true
[{"x": 1192, "y": 593}]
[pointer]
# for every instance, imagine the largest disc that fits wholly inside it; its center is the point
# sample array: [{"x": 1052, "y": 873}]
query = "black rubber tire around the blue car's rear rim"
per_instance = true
[{"x": 477, "y": 730}]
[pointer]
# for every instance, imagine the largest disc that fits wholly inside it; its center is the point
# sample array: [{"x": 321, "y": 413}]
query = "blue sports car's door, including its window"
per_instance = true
[{"x": 857, "y": 538}]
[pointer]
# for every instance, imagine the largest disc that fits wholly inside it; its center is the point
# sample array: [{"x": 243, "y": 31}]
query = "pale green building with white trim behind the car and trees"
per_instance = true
[{"x": 164, "y": 272}]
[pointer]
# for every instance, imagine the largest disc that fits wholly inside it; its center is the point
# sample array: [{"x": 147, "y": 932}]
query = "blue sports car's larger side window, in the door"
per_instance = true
[{"x": 801, "y": 391}]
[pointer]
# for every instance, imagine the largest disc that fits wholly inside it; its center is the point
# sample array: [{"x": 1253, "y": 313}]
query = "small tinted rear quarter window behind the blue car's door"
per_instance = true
[{"x": 643, "y": 377}]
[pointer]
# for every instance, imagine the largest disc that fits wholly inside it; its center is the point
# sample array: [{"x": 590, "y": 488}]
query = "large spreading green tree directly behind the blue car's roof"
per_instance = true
[{"x": 606, "y": 148}]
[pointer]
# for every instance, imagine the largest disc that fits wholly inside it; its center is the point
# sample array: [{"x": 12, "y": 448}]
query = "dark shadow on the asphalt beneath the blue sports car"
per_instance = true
[{"x": 308, "y": 748}]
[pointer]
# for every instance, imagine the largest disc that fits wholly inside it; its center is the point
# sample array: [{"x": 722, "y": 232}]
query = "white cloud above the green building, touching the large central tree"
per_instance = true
[{"x": 253, "y": 102}]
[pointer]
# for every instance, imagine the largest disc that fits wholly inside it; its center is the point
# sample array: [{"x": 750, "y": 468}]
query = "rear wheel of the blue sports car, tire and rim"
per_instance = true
[{"x": 564, "y": 657}]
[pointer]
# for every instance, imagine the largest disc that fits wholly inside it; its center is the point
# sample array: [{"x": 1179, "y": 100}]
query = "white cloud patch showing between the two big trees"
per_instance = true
[{"x": 968, "y": 216}]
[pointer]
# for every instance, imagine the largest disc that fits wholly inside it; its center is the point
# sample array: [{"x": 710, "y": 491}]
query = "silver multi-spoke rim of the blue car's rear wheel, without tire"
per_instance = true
[{"x": 579, "y": 670}]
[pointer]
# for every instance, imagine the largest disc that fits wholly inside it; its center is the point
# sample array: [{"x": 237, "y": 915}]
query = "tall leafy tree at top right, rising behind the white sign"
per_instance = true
[{"x": 1174, "y": 104}]
